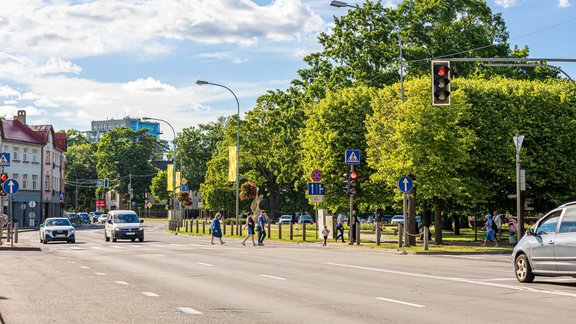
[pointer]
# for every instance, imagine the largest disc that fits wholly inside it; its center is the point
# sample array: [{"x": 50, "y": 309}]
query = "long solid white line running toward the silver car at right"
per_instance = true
[{"x": 453, "y": 279}]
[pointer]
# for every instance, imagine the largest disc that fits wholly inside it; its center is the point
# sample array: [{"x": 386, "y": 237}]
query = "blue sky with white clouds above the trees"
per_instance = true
[{"x": 69, "y": 62}]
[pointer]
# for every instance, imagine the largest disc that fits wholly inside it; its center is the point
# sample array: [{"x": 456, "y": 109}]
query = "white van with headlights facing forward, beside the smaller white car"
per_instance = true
[{"x": 123, "y": 224}]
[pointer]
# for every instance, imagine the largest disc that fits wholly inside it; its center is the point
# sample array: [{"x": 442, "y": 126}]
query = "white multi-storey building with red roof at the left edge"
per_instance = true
[{"x": 37, "y": 163}]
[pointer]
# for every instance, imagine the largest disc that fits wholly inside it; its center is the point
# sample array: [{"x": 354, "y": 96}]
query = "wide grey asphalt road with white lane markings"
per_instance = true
[{"x": 181, "y": 279}]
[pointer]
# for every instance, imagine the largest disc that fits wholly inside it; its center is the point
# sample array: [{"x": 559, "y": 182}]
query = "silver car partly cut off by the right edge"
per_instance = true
[{"x": 549, "y": 247}]
